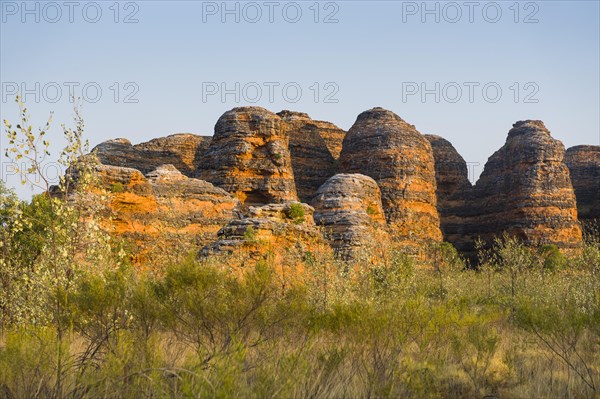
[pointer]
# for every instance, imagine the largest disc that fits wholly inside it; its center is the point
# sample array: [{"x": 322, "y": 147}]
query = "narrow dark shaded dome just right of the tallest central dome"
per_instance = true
[{"x": 453, "y": 189}]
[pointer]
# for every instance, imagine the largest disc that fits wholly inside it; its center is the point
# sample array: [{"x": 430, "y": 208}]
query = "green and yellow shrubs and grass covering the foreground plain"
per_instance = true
[{"x": 203, "y": 330}]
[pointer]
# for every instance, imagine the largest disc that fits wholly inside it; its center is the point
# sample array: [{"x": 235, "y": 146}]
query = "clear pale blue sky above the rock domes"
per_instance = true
[{"x": 373, "y": 55}]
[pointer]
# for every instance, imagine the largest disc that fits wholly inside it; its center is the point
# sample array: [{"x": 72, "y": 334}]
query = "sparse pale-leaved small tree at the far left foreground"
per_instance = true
[{"x": 60, "y": 221}]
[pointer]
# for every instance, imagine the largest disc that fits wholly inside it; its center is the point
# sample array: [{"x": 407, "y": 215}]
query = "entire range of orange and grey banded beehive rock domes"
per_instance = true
[{"x": 389, "y": 183}]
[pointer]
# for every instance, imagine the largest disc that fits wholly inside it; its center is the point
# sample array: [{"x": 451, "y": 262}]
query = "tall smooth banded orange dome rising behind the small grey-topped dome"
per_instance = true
[{"x": 383, "y": 146}]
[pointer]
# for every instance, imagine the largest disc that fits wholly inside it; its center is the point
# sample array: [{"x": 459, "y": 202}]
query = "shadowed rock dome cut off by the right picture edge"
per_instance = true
[{"x": 584, "y": 165}]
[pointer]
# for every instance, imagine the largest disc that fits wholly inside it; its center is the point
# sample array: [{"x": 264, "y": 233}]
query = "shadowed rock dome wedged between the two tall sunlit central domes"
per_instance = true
[{"x": 311, "y": 144}]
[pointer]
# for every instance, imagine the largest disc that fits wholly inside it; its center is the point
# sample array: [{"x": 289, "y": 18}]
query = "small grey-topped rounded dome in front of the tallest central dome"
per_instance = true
[{"x": 348, "y": 207}]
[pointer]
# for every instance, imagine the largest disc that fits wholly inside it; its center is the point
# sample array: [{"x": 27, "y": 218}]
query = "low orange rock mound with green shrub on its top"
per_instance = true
[{"x": 272, "y": 228}]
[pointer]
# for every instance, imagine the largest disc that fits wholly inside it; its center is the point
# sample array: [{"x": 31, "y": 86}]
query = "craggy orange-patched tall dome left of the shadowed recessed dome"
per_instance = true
[{"x": 249, "y": 157}]
